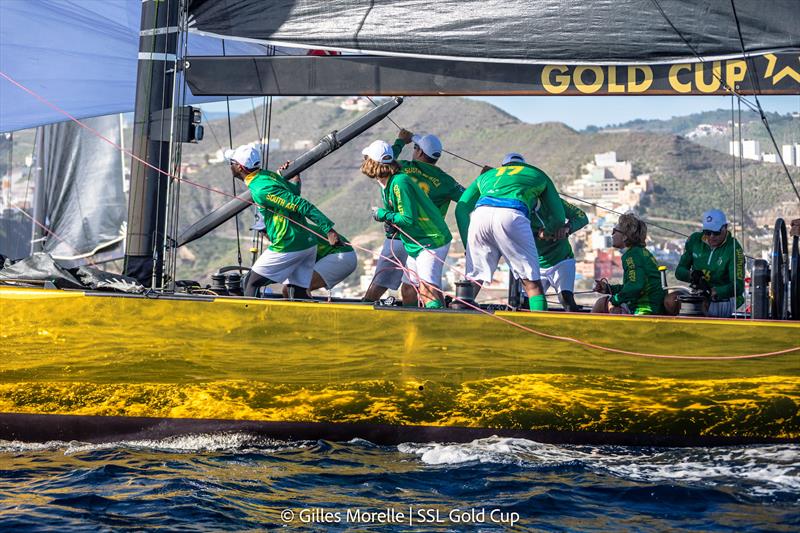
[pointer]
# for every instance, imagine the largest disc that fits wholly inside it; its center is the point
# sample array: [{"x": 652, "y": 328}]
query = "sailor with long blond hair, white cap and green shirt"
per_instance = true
[{"x": 420, "y": 225}]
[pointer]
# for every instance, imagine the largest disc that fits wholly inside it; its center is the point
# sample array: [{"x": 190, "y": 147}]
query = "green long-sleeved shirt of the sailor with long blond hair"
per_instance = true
[{"x": 406, "y": 206}]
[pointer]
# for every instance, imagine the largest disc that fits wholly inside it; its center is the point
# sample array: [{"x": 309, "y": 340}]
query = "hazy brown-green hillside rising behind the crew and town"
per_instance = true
[{"x": 688, "y": 177}]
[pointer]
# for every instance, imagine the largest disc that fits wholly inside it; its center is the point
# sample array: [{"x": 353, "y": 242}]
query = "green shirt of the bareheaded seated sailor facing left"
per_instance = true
[{"x": 641, "y": 283}]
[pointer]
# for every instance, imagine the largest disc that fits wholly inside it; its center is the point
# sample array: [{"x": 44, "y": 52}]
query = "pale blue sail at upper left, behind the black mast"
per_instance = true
[{"x": 80, "y": 56}]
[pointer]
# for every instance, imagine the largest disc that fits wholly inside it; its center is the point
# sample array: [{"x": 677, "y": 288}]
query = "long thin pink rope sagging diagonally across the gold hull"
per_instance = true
[{"x": 460, "y": 300}]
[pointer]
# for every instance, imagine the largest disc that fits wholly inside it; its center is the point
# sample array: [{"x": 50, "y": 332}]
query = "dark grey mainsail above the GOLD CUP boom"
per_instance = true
[{"x": 541, "y": 31}]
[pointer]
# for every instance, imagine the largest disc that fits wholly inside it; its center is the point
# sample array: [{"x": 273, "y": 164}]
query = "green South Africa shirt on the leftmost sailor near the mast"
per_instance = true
[{"x": 280, "y": 203}]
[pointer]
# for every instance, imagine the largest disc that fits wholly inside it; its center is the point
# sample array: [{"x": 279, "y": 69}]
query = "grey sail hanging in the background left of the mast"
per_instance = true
[{"x": 80, "y": 194}]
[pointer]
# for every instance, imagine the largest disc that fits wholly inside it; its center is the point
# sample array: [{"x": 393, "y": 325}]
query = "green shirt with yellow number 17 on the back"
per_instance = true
[{"x": 518, "y": 182}]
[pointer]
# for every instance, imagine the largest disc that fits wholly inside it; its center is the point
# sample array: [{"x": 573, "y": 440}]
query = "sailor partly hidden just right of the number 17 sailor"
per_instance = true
[{"x": 556, "y": 260}]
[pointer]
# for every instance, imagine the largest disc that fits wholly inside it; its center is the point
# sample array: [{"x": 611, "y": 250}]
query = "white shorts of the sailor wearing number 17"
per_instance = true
[{"x": 495, "y": 232}]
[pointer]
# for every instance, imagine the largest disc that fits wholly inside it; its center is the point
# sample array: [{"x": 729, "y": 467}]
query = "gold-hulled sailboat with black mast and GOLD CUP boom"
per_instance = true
[{"x": 100, "y": 366}]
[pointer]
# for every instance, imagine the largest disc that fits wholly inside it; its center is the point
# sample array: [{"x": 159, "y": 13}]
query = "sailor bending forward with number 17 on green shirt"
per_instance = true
[{"x": 493, "y": 217}]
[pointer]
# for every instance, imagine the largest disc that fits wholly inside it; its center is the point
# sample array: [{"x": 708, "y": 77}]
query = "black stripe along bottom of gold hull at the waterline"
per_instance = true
[{"x": 97, "y": 429}]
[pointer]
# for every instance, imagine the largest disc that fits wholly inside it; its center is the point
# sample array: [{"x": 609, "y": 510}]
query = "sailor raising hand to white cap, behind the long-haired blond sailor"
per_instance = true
[{"x": 440, "y": 187}]
